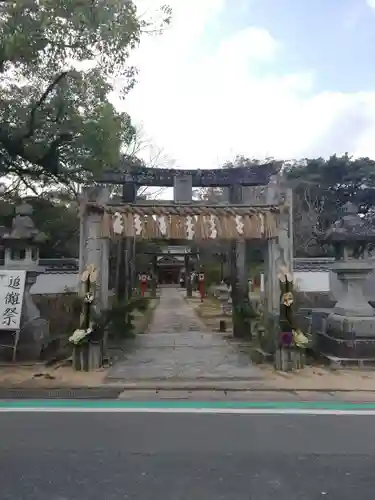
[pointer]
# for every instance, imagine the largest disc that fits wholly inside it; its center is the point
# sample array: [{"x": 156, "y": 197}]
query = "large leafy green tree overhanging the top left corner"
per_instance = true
[{"x": 58, "y": 63}]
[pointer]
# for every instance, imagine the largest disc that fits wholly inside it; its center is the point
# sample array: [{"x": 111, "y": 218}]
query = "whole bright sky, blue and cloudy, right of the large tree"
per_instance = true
[{"x": 261, "y": 78}]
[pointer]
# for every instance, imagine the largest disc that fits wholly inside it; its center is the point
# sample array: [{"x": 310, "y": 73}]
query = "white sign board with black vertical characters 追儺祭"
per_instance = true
[{"x": 12, "y": 288}]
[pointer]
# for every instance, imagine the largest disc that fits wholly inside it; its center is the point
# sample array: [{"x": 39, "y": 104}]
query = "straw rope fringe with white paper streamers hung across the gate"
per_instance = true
[{"x": 191, "y": 222}]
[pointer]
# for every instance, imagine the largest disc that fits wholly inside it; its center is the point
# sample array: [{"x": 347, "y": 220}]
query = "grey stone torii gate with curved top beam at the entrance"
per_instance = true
[{"x": 258, "y": 207}]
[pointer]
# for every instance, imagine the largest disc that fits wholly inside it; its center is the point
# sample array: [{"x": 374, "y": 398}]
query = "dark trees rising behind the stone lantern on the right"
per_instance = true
[{"x": 320, "y": 188}]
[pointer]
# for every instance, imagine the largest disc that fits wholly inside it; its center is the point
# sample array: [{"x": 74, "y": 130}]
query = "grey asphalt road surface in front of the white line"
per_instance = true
[{"x": 113, "y": 456}]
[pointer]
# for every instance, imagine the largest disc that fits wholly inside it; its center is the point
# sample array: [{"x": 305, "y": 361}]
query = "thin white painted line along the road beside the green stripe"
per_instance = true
[{"x": 208, "y": 411}]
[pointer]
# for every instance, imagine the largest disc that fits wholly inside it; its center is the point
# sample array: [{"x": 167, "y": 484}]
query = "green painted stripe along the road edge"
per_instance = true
[{"x": 181, "y": 405}]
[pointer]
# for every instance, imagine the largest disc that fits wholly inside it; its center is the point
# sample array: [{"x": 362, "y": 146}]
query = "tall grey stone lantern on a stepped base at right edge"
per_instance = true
[{"x": 350, "y": 327}]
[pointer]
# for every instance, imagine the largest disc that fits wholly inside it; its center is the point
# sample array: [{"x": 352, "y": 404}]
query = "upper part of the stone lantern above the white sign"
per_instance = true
[{"x": 21, "y": 244}]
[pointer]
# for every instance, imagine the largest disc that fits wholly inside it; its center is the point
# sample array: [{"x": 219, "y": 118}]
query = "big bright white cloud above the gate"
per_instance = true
[{"x": 205, "y": 95}]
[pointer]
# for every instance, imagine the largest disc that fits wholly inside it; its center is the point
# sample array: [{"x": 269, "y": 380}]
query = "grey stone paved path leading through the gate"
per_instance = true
[{"x": 177, "y": 346}]
